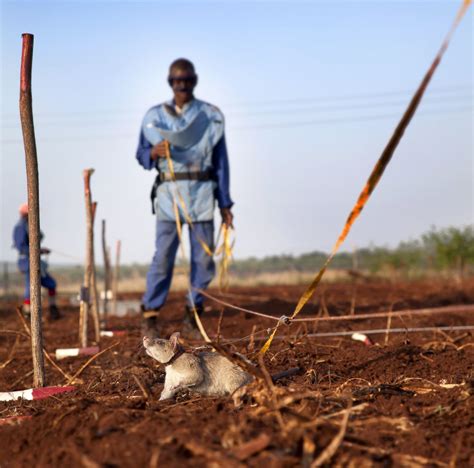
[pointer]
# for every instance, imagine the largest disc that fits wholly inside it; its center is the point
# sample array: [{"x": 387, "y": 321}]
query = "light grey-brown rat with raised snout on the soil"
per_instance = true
[{"x": 206, "y": 373}]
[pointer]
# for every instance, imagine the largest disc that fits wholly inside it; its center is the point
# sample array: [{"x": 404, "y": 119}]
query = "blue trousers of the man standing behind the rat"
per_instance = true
[{"x": 159, "y": 275}]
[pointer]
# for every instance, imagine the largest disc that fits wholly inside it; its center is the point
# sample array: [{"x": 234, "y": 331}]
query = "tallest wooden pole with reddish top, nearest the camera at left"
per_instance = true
[{"x": 29, "y": 142}]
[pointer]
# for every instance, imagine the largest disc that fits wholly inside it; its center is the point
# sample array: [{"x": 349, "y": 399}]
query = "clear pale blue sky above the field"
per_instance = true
[{"x": 311, "y": 92}]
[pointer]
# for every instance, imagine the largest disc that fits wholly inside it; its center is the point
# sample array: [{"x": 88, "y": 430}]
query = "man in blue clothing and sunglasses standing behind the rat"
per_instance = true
[{"x": 194, "y": 131}]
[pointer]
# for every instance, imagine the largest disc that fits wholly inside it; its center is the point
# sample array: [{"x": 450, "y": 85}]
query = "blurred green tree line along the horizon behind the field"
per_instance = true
[{"x": 447, "y": 249}]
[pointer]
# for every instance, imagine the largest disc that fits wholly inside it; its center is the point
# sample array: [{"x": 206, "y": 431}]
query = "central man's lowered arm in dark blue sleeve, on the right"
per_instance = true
[{"x": 220, "y": 162}]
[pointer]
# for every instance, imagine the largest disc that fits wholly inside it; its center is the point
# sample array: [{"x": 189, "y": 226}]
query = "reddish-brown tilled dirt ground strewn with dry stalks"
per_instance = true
[{"x": 404, "y": 401}]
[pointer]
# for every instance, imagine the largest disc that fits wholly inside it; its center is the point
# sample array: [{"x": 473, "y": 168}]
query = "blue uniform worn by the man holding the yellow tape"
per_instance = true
[{"x": 198, "y": 134}]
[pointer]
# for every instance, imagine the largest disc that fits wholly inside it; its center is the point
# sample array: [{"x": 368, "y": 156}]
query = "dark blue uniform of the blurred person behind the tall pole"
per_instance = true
[{"x": 21, "y": 243}]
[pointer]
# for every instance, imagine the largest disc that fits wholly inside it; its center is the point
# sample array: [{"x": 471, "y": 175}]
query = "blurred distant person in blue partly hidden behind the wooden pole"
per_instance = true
[{"x": 21, "y": 243}]
